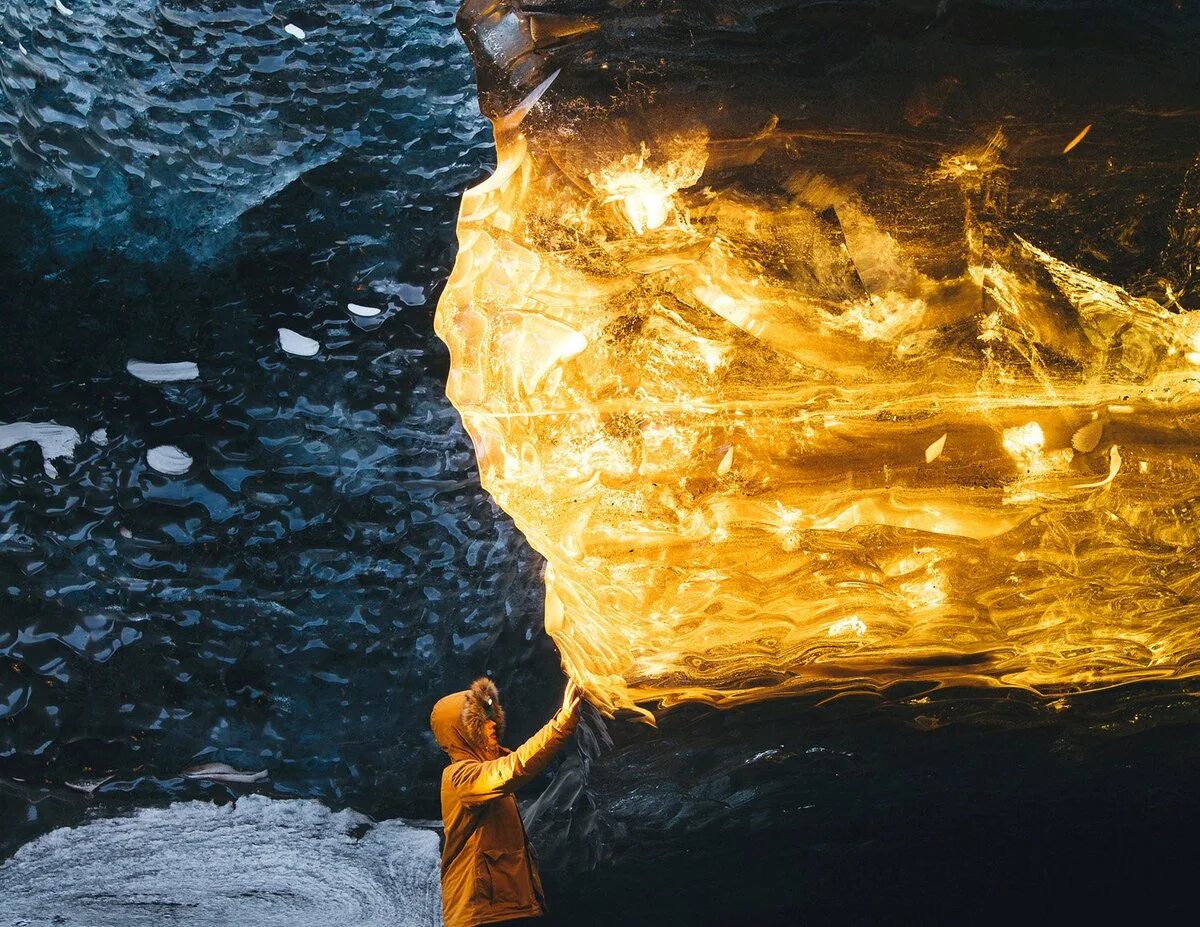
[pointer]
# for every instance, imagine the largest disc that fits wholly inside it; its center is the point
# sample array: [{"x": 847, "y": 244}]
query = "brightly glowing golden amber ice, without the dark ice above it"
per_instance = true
[{"x": 763, "y": 456}]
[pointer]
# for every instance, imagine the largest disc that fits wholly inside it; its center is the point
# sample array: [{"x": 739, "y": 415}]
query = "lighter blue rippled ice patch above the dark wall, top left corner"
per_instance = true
[{"x": 191, "y": 113}]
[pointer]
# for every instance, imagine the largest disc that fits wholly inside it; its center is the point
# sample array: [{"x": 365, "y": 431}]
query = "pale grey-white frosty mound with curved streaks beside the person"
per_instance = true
[{"x": 261, "y": 864}]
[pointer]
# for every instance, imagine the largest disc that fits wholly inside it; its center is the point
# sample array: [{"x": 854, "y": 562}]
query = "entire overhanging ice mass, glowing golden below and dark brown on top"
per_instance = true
[{"x": 819, "y": 346}]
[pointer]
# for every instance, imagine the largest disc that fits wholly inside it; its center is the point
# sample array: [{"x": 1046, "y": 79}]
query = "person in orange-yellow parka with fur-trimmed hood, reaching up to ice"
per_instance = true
[{"x": 489, "y": 872}]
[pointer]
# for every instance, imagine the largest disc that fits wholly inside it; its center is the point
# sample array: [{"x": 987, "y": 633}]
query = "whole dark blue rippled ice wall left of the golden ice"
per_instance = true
[{"x": 328, "y": 566}]
